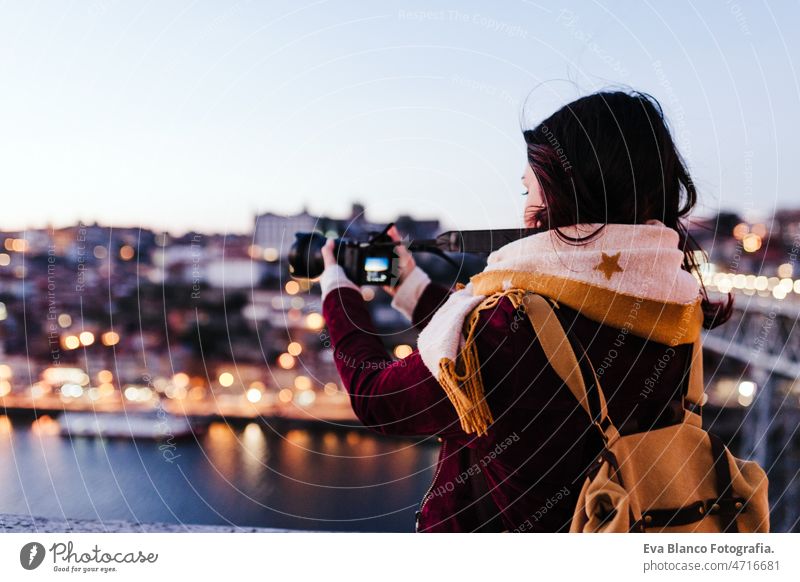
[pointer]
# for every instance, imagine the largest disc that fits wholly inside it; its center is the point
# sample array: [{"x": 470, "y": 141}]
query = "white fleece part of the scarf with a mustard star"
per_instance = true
[{"x": 637, "y": 261}]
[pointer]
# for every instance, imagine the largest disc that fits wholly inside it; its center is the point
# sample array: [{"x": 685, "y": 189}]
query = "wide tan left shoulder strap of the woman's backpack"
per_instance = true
[{"x": 560, "y": 354}]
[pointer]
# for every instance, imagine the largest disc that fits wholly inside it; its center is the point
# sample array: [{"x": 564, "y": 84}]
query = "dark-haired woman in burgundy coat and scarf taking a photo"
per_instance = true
[{"x": 607, "y": 186}]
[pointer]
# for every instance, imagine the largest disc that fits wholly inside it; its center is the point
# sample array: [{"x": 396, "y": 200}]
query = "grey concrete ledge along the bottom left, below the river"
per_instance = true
[{"x": 28, "y": 523}]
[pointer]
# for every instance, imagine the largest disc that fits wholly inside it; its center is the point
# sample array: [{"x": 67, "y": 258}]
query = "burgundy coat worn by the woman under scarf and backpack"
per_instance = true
[{"x": 526, "y": 473}]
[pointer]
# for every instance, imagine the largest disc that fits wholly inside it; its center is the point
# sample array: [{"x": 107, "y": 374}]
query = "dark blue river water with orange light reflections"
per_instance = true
[{"x": 248, "y": 475}]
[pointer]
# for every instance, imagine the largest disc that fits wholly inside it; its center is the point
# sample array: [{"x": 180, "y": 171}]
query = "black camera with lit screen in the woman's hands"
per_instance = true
[{"x": 371, "y": 260}]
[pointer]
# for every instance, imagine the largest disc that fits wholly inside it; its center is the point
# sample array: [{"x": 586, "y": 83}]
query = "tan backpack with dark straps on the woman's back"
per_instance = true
[{"x": 678, "y": 478}]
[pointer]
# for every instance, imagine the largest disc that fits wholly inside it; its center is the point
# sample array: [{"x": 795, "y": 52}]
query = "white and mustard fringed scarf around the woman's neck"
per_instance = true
[{"x": 629, "y": 277}]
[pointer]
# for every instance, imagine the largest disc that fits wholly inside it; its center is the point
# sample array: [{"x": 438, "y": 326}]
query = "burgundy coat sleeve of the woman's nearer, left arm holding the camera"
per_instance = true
[{"x": 397, "y": 397}]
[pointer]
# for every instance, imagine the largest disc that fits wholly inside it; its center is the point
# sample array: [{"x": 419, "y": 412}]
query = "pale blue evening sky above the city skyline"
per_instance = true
[{"x": 180, "y": 115}]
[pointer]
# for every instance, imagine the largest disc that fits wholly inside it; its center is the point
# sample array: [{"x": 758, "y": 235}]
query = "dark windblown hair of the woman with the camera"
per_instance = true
[{"x": 607, "y": 158}]
